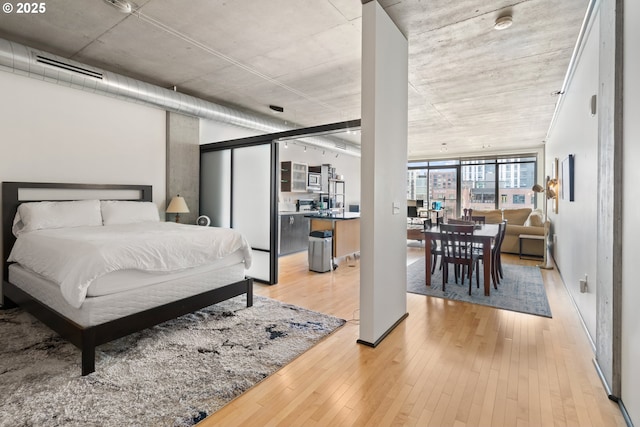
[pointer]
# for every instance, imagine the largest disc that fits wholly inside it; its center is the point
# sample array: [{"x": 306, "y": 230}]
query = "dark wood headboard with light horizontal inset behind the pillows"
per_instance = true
[{"x": 11, "y": 199}]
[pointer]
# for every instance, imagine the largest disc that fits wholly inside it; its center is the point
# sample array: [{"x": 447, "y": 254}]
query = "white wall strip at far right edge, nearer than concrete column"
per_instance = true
[{"x": 631, "y": 207}]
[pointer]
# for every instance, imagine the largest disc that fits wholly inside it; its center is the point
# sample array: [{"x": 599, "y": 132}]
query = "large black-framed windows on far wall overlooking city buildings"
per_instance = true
[{"x": 487, "y": 183}]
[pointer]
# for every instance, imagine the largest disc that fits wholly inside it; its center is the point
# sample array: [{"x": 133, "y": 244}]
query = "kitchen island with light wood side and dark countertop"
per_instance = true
[{"x": 345, "y": 228}]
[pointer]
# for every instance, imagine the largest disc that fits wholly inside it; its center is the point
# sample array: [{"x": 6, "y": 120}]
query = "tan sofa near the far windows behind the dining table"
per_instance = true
[{"x": 519, "y": 221}]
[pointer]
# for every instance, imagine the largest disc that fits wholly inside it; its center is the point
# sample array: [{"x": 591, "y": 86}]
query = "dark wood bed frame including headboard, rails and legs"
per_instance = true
[{"x": 87, "y": 338}]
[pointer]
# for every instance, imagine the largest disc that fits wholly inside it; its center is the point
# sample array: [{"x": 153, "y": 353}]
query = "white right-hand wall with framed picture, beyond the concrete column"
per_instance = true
[{"x": 574, "y": 228}]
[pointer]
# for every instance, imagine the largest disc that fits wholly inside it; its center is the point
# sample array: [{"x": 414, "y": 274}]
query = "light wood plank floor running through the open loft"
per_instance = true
[{"x": 448, "y": 364}]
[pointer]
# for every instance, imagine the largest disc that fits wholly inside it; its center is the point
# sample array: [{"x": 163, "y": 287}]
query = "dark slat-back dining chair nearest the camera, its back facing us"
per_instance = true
[{"x": 457, "y": 249}]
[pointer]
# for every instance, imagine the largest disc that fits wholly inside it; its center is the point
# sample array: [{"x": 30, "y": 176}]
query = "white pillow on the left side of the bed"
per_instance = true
[{"x": 43, "y": 215}]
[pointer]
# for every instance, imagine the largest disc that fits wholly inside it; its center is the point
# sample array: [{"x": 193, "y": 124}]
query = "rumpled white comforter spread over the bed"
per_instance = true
[{"x": 74, "y": 257}]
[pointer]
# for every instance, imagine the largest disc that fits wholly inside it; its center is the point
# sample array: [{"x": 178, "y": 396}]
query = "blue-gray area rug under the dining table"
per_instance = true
[{"x": 521, "y": 289}]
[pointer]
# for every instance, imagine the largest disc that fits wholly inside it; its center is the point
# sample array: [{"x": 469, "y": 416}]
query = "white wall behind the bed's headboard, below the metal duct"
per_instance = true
[{"x": 52, "y": 133}]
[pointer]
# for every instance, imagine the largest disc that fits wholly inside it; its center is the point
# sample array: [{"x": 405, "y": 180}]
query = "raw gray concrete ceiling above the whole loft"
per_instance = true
[{"x": 471, "y": 87}]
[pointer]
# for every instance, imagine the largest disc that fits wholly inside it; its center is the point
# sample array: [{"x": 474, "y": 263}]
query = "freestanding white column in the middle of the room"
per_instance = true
[{"x": 383, "y": 271}]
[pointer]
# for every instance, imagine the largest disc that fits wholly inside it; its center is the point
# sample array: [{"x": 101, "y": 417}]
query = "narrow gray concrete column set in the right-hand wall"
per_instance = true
[{"x": 609, "y": 233}]
